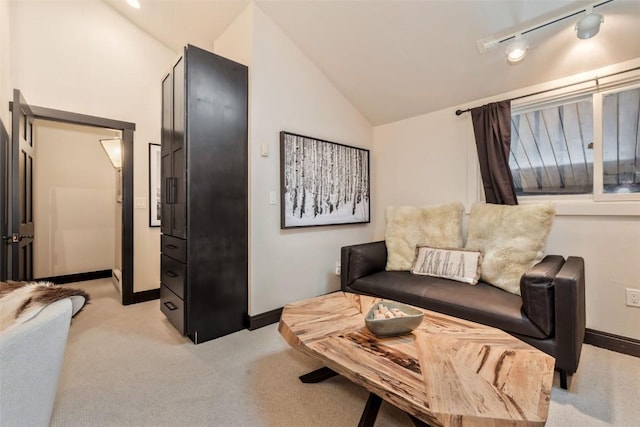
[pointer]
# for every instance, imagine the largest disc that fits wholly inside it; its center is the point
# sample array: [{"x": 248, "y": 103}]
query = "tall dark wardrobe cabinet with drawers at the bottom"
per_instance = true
[{"x": 204, "y": 242}]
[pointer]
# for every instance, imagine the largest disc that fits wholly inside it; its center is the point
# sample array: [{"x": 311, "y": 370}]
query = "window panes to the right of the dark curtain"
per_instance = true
[{"x": 552, "y": 148}]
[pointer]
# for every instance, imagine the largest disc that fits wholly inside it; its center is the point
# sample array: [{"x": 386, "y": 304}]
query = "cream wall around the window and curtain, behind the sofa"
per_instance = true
[{"x": 431, "y": 158}]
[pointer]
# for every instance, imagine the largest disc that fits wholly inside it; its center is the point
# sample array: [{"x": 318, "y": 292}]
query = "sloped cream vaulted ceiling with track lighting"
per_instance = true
[{"x": 399, "y": 59}]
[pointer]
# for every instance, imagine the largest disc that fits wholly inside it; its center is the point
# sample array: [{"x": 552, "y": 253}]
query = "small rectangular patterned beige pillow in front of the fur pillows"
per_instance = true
[{"x": 462, "y": 265}]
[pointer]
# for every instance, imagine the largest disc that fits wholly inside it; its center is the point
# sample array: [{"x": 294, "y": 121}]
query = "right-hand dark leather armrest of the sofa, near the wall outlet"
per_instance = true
[{"x": 569, "y": 293}]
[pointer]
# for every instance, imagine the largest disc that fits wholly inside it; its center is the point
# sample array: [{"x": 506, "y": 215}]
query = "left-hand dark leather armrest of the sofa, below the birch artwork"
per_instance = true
[{"x": 357, "y": 261}]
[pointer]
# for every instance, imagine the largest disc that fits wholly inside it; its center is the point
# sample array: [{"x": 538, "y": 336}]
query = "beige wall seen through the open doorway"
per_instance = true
[{"x": 74, "y": 200}]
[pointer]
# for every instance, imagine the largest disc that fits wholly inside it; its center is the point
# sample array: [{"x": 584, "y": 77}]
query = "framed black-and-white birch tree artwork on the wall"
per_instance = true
[{"x": 322, "y": 182}]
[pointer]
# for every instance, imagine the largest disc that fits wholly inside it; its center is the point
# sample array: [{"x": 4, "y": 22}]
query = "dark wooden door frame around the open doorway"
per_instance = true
[{"x": 127, "y": 129}]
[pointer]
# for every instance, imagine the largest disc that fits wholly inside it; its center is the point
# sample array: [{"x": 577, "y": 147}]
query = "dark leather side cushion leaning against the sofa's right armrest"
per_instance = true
[{"x": 536, "y": 288}]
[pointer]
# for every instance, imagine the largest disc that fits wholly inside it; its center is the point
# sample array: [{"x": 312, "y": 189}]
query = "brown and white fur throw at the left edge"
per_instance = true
[{"x": 22, "y": 301}]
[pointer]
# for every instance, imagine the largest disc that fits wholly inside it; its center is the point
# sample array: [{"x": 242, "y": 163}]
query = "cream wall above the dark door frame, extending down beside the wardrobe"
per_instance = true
[{"x": 83, "y": 57}]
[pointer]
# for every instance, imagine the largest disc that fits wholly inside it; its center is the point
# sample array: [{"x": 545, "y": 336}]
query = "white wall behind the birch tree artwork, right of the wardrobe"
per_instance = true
[{"x": 288, "y": 92}]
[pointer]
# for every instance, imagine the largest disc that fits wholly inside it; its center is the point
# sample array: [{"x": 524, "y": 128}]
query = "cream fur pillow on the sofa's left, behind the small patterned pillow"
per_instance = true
[{"x": 438, "y": 226}]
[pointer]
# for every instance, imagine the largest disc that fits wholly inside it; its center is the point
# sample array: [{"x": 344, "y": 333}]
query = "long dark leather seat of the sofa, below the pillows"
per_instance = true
[{"x": 482, "y": 303}]
